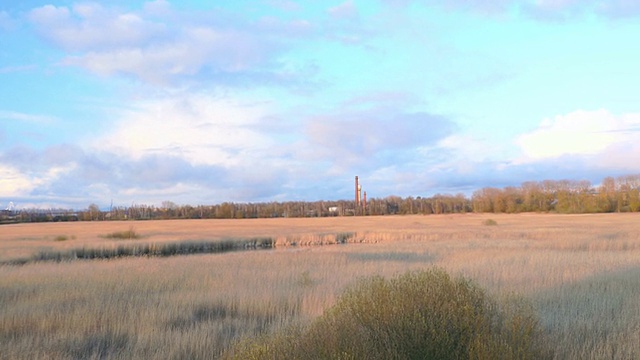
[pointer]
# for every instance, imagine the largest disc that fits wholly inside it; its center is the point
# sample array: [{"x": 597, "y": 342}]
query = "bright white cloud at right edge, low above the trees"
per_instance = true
[{"x": 581, "y": 133}]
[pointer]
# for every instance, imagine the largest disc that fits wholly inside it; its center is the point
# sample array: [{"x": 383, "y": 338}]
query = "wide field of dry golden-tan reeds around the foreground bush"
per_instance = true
[{"x": 581, "y": 273}]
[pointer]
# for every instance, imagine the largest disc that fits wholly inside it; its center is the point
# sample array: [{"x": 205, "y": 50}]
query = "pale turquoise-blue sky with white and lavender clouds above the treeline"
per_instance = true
[{"x": 201, "y": 102}]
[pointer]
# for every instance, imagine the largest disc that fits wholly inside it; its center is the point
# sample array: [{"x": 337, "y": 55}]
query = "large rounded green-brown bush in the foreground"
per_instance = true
[{"x": 419, "y": 315}]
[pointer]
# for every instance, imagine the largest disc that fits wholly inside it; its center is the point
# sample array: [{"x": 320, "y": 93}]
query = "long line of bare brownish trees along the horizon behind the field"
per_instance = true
[{"x": 620, "y": 194}]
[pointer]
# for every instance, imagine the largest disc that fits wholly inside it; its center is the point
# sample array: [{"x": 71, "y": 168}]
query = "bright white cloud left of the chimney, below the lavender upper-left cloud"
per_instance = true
[{"x": 201, "y": 129}]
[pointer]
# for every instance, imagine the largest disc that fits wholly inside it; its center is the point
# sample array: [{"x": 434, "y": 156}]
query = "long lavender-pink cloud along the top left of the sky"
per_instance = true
[{"x": 165, "y": 46}]
